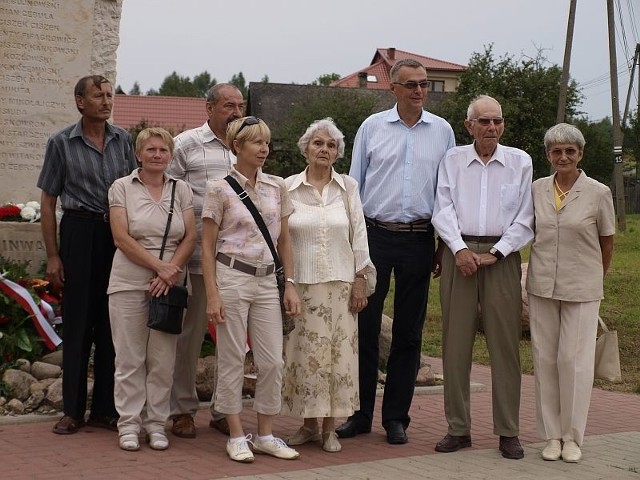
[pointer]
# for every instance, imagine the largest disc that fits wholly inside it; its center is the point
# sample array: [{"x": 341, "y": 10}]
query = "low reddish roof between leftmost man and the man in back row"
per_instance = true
[{"x": 175, "y": 114}]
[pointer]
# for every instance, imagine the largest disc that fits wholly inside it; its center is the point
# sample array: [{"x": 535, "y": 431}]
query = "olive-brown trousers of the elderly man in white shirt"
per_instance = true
[{"x": 497, "y": 289}]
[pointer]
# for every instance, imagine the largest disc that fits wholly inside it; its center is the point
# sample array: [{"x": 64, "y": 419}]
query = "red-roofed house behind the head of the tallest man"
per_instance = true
[{"x": 444, "y": 76}]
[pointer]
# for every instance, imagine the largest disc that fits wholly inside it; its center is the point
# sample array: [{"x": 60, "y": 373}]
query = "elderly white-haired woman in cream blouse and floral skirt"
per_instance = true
[{"x": 331, "y": 258}]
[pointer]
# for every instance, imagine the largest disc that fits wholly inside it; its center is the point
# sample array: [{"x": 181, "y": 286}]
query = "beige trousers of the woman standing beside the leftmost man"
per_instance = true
[{"x": 144, "y": 364}]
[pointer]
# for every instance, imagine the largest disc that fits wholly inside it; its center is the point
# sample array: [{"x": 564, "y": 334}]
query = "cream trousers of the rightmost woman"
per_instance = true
[{"x": 563, "y": 343}]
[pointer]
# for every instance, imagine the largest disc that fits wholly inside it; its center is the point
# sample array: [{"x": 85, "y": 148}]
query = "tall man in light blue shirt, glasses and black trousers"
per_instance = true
[{"x": 395, "y": 160}]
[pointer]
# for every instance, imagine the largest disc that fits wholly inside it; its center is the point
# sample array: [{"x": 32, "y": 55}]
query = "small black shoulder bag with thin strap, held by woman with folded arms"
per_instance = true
[{"x": 166, "y": 312}]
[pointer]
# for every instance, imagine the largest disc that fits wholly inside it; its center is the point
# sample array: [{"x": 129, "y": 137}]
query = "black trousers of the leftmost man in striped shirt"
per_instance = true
[{"x": 86, "y": 250}]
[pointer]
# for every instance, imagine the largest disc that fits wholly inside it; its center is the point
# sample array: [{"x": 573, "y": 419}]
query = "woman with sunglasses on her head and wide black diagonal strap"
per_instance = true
[{"x": 242, "y": 293}]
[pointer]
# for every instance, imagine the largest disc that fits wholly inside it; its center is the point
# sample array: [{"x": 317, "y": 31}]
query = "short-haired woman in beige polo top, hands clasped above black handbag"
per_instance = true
[{"x": 138, "y": 210}]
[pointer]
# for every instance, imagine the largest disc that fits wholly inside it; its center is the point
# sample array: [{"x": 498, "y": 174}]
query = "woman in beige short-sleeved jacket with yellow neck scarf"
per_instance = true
[{"x": 571, "y": 253}]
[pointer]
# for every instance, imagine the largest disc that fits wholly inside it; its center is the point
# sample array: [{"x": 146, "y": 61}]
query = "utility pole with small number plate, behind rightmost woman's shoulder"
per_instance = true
[{"x": 615, "y": 117}]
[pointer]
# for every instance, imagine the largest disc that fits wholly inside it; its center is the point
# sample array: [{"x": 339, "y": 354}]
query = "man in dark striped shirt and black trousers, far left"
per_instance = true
[{"x": 80, "y": 164}]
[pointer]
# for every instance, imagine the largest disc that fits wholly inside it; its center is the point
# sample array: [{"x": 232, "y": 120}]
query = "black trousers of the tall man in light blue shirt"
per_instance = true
[{"x": 410, "y": 256}]
